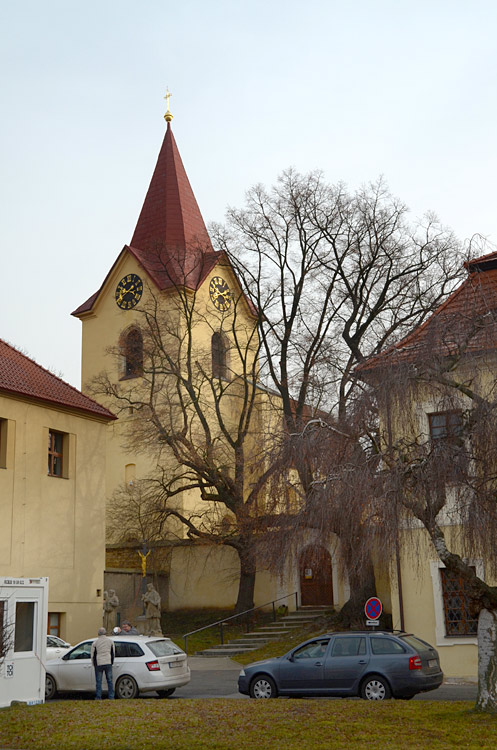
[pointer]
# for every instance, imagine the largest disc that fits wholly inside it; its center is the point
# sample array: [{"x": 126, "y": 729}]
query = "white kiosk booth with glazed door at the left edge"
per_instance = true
[{"x": 23, "y": 617}]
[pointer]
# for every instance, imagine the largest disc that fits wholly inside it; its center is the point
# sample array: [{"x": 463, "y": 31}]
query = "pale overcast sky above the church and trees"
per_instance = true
[{"x": 358, "y": 89}]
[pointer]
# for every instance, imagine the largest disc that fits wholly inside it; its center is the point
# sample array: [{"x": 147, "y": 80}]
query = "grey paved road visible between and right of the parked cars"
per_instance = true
[{"x": 218, "y": 677}]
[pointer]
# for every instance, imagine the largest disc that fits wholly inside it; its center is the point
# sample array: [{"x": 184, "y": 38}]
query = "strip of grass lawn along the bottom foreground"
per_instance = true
[{"x": 221, "y": 723}]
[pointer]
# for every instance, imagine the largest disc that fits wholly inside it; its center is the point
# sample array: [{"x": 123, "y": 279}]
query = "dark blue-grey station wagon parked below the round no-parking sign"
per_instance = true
[{"x": 372, "y": 665}]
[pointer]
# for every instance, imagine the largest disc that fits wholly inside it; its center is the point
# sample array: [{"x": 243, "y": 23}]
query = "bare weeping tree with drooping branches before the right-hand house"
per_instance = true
[{"x": 439, "y": 469}]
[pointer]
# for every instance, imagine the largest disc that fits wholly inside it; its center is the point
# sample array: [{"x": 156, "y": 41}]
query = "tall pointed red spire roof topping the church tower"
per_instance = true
[{"x": 170, "y": 240}]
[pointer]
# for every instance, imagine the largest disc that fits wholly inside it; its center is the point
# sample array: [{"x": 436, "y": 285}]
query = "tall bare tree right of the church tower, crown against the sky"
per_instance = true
[{"x": 335, "y": 277}]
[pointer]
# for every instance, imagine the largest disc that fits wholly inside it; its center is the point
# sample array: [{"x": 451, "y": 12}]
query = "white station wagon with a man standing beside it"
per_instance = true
[{"x": 142, "y": 664}]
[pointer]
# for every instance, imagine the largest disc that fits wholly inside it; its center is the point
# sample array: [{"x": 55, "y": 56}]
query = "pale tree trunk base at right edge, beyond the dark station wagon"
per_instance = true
[{"x": 487, "y": 661}]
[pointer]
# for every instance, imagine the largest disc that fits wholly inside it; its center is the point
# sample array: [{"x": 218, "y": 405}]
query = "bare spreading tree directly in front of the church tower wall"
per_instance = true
[{"x": 198, "y": 409}]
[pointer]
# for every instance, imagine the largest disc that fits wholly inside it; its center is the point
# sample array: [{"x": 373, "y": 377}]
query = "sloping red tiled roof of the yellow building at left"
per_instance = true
[{"x": 22, "y": 376}]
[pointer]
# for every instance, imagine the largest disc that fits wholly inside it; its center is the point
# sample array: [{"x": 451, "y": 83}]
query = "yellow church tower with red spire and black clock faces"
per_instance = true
[{"x": 169, "y": 262}]
